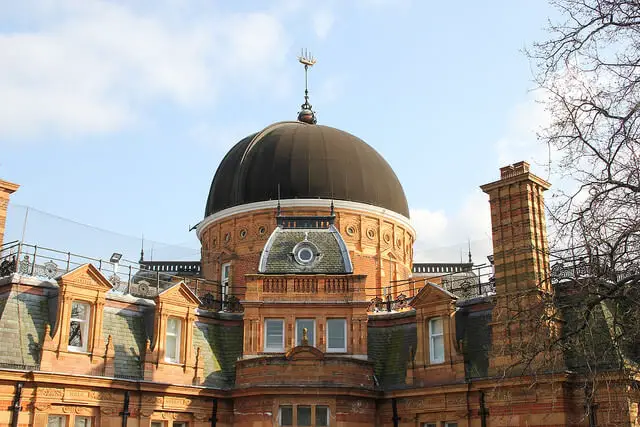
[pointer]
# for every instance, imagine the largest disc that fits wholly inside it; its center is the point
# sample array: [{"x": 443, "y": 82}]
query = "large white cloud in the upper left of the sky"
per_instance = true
[{"x": 91, "y": 66}]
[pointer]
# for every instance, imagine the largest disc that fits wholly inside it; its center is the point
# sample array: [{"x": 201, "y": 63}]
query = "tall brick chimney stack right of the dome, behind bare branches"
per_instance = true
[{"x": 521, "y": 257}]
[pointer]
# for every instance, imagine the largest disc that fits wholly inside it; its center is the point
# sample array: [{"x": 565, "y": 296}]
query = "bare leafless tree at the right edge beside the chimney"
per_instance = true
[{"x": 589, "y": 70}]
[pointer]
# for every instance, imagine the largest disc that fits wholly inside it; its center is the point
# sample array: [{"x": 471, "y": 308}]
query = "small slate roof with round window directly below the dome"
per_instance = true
[{"x": 332, "y": 255}]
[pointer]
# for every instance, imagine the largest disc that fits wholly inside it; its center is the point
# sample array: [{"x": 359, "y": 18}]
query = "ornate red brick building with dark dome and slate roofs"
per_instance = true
[{"x": 306, "y": 309}]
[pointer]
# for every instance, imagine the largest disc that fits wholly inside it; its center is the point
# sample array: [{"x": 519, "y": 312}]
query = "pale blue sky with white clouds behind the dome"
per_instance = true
[{"x": 116, "y": 114}]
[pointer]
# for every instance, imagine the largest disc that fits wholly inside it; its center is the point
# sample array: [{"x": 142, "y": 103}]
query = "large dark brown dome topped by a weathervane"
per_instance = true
[{"x": 308, "y": 162}]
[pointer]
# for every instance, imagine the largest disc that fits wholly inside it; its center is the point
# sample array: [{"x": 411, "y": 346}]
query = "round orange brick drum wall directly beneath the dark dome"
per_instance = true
[{"x": 380, "y": 248}]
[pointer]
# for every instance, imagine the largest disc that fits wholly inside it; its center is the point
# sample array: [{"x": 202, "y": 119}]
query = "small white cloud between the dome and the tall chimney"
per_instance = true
[{"x": 444, "y": 237}]
